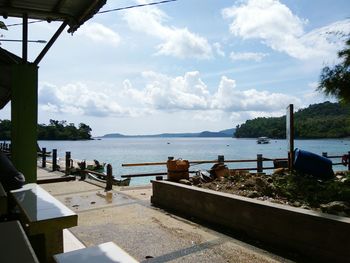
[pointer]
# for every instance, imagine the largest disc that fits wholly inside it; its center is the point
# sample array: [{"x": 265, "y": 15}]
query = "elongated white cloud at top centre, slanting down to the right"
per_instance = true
[{"x": 177, "y": 42}]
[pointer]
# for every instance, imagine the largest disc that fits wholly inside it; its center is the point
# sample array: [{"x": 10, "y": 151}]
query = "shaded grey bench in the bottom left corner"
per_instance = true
[{"x": 14, "y": 244}]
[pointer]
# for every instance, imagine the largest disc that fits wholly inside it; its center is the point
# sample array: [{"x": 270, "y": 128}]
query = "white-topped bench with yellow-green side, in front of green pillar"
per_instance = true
[{"x": 43, "y": 218}]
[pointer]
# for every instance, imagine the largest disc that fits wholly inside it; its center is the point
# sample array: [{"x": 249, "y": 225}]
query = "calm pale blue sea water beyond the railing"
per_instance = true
[{"x": 134, "y": 150}]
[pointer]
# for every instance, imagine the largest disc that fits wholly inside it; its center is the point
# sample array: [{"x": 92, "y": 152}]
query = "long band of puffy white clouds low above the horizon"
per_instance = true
[{"x": 164, "y": 94}]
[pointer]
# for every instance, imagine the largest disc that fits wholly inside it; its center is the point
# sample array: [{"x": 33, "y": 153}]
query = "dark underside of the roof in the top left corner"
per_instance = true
[{"x": 75, "y": 12}]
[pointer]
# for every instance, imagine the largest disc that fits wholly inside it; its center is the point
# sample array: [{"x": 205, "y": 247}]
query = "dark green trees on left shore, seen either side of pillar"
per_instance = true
[{"x": 55, "y": 130}]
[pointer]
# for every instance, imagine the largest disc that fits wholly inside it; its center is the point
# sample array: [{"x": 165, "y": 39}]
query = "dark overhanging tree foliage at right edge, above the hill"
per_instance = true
[{"x": 336, "y": 81}]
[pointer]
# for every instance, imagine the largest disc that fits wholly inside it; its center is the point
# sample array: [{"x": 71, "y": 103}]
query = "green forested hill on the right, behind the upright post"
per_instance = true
[{"x": 323, "y": 120}]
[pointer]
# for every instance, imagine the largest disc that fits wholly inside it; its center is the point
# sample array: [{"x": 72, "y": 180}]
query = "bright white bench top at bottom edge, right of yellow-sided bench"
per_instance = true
[{"x": 104, "y": 253}]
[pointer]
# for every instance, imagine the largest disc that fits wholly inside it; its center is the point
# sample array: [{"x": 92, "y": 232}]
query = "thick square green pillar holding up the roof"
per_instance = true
[{"x": 24, "y": 112}]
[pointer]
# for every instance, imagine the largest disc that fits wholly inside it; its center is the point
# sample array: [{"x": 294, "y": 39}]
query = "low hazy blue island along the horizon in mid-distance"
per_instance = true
[{"x": 205, "y": 134}]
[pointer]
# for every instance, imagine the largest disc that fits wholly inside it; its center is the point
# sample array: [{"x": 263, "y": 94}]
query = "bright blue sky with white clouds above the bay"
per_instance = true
[{"x": 185, "y": 66}]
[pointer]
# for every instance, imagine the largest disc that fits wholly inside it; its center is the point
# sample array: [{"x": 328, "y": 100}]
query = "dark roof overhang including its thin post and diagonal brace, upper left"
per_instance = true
[{"x": 73, "y": 13}]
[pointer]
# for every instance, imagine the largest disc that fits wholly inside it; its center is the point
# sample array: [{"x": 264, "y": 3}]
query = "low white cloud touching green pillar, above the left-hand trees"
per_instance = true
[{"x": 78, "y": 99}]
